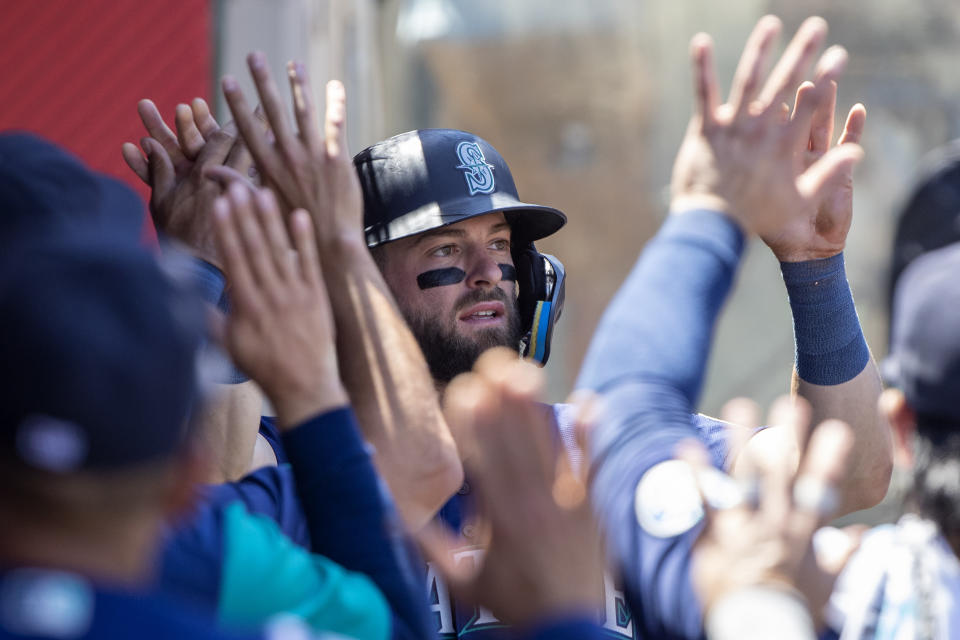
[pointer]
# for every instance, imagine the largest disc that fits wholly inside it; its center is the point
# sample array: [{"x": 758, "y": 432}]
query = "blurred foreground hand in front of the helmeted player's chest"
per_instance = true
[{"x": 544, "y": 555}]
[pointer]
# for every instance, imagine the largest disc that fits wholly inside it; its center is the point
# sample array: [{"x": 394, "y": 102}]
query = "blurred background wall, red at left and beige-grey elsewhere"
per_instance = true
[{"x": 587, "y": 100}]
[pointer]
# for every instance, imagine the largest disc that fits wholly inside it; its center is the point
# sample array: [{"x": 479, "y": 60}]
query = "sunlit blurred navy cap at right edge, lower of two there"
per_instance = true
[{"x": 924, "y": 360}]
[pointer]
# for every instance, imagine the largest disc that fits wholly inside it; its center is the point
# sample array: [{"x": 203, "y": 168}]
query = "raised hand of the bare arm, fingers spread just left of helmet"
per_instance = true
[{"x": 306, "y": 168}]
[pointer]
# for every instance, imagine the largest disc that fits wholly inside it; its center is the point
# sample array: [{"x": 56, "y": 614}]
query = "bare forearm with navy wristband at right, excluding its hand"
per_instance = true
[{"x": 835, "y": 373}]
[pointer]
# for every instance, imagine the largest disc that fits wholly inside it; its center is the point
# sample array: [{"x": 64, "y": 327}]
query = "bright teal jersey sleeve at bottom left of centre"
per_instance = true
[{"x": 264, "y": 573}]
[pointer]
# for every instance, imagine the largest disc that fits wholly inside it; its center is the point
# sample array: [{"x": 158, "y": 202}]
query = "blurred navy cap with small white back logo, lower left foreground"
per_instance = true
[{"x": 98, "y": 355}]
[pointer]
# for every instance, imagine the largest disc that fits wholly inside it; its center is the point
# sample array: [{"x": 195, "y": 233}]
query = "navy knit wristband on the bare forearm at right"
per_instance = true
[{"x": 830, "y": 345}]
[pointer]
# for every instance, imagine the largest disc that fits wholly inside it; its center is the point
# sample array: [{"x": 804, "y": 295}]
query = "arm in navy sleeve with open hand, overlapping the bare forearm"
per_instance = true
[{"x": 282, "y": 332}]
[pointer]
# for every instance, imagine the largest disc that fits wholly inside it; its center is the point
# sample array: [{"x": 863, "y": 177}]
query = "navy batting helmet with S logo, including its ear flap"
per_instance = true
[{"x": 430, "y": 178}]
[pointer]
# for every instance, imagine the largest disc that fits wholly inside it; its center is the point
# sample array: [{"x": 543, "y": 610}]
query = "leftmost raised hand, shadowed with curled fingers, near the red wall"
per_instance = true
[{"x": 177, "y": 168}]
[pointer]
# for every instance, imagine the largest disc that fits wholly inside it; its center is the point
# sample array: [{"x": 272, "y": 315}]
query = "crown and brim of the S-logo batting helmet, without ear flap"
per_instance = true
[{"x": 430, "y": 178}]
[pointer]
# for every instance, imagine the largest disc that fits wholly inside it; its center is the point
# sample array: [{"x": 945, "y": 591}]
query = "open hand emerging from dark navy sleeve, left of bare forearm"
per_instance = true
[{"x": 280, "y": 331}]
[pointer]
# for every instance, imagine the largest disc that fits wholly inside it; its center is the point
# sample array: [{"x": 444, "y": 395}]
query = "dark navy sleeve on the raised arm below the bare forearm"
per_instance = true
[{"x": 351, "y": 517}]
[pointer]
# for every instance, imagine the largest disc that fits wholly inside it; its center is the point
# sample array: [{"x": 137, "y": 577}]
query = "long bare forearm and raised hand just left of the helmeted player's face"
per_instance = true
[{"x": 380, "y": 362}]
